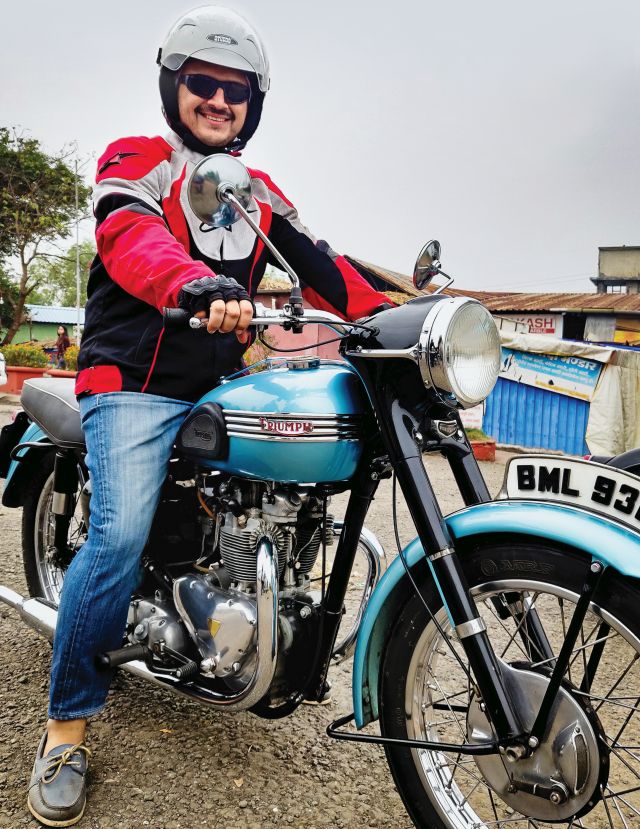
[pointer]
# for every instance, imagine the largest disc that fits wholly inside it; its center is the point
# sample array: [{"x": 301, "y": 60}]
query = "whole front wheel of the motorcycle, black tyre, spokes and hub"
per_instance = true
[{"x": 587, "y": 768}]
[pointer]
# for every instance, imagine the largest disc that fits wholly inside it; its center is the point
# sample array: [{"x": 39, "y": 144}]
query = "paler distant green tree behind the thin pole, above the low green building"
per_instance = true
[{"x": 56, "y": 277}]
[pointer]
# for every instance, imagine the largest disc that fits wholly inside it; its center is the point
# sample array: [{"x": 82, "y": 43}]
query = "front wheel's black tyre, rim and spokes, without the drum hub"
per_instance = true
[{"x": 424, "y": 692}]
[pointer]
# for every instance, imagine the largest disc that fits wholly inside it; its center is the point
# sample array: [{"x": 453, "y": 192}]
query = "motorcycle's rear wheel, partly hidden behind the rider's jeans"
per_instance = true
[{"x": 44, "y": 576}]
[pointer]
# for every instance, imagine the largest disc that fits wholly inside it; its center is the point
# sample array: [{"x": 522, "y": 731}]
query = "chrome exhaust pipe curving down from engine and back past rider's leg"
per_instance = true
[{"x": 42, "y": 617}]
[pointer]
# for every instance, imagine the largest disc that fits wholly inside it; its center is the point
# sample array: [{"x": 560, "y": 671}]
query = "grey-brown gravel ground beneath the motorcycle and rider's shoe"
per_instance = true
[{"x": 168, "y": 763}]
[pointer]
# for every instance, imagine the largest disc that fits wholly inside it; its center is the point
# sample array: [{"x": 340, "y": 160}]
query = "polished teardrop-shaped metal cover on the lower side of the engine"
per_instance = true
[{"x": 222, "y": 623}]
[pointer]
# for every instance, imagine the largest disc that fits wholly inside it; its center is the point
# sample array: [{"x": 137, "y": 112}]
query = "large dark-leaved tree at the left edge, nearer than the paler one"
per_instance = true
[{"x": 37, "y": 207}]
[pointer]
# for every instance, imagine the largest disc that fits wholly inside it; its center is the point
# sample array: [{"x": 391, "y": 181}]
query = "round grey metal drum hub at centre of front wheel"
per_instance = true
[{"x": 559, "y": 778}]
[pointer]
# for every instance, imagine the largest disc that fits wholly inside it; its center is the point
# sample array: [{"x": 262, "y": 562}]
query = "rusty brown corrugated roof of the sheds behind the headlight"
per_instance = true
[{"x": 505, "y": 301}]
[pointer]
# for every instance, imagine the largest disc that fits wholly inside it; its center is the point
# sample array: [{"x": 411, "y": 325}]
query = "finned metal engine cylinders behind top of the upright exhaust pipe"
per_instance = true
[{"x": 239, "y": 545}]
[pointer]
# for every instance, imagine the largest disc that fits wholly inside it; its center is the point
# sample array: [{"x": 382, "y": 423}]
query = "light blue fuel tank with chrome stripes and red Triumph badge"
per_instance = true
[{"x": 298, "y": 422}]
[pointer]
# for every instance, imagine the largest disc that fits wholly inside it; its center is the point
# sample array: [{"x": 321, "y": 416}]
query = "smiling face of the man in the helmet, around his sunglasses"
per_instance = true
[{"x": 214, "y": 122}]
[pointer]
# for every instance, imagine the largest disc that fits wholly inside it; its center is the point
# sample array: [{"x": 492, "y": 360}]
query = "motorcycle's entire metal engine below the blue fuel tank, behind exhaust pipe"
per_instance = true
[{"x": 212, "y": 617}]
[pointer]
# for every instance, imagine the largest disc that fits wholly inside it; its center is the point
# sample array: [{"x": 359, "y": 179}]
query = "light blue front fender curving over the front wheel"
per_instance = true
[{"x": 598, "y": 537}]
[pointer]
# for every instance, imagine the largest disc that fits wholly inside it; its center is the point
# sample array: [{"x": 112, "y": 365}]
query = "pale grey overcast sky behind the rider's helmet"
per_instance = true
[{"x": 510, "y": 131}]
